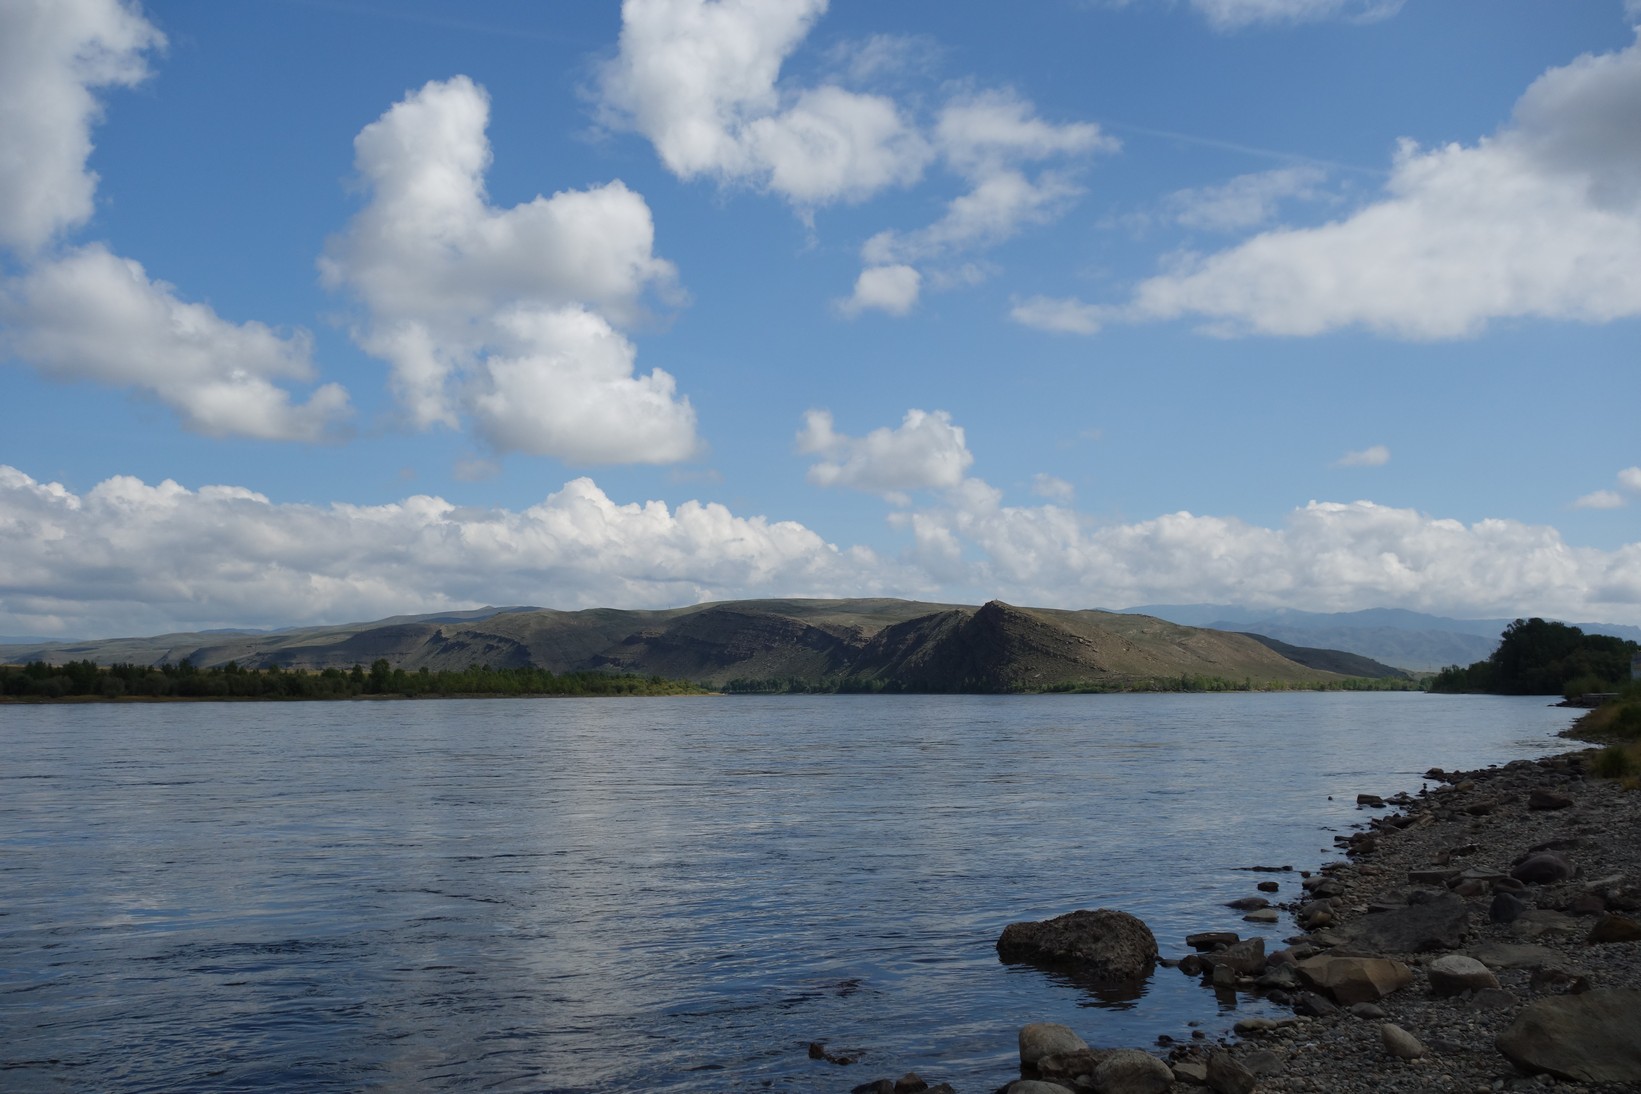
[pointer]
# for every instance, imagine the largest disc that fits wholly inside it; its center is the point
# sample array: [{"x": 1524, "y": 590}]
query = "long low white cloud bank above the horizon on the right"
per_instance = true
[{"x": 1327, "y": 557}]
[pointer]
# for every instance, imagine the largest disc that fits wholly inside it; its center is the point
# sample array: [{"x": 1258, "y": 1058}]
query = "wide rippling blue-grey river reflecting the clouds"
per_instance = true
[{"x": 652, "y": 895}]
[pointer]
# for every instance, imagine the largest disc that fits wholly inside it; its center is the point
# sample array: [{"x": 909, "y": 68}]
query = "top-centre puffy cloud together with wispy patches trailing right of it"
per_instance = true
[{"x": 703, "y": 83}]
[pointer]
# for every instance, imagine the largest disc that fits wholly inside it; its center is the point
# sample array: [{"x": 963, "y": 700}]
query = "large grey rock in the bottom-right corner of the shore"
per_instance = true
[{"x": 1594, "y": 1037}]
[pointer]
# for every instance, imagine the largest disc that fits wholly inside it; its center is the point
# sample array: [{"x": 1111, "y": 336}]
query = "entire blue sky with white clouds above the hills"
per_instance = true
[{"x": 329, "y": 311}]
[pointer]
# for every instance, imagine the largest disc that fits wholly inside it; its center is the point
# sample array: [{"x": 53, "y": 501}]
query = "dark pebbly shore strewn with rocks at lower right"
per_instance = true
[{"x": 1483, "y": 937}]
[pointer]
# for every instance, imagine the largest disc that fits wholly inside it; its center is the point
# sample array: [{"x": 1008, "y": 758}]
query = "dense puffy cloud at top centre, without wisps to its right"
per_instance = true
[{"x": 700, "y": 81}]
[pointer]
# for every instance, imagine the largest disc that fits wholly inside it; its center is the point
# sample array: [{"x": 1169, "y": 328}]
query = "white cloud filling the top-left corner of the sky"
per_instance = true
[{"x": 53, "y": 57}]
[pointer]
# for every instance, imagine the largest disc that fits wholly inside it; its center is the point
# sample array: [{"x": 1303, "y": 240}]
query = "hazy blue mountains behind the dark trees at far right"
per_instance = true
[{"x": 1410, "y": 640}]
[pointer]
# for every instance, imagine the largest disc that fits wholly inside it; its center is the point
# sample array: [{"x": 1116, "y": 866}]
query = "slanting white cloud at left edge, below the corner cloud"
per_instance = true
[{"x": 93, "y": 316}]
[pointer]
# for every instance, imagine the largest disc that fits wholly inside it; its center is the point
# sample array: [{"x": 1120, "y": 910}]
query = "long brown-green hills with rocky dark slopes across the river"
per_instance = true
[{"x": 890, "y": 645}]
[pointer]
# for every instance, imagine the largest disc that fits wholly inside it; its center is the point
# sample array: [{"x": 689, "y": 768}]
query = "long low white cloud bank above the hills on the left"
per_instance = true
[{"x": 135, "y": 558}]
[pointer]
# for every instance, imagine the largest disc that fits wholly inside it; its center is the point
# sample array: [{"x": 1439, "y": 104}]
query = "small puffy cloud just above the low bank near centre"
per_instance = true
[{"x": 925, "y": 452}]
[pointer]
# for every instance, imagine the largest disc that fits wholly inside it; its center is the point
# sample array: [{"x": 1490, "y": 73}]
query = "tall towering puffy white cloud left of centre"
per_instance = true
[{"x": 505, "y": 316}]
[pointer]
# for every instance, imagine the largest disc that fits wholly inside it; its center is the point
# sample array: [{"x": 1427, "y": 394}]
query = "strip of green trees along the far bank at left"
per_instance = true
[{"x": 88, "y": 680}]
